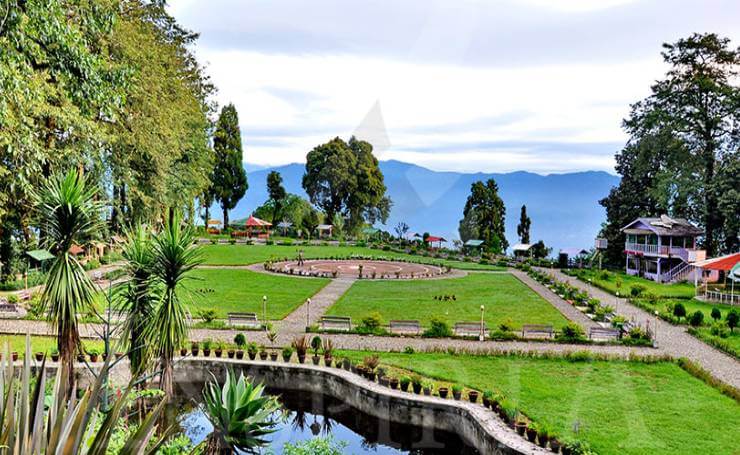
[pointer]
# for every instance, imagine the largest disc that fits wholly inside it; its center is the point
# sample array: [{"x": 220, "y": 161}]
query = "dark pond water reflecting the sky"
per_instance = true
[{"x": 307, "y": 415}]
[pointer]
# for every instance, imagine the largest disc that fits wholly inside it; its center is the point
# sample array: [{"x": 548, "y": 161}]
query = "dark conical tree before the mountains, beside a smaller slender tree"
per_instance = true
[{"x": 487, "y": 208}]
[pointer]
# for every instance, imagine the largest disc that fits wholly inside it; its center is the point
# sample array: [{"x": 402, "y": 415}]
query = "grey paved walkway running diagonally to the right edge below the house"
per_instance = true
[{"x": 672, "y": 339}]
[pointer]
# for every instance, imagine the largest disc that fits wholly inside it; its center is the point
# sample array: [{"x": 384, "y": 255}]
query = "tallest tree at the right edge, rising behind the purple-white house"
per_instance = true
[{"x": 698, "y": 104}]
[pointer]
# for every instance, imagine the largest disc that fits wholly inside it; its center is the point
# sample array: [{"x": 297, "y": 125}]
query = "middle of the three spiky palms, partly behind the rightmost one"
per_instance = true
[{"x": 135, "y": 298}]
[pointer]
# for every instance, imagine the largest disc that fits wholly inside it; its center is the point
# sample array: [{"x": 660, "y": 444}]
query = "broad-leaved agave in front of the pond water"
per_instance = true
[{"x": 241, "y": 414}]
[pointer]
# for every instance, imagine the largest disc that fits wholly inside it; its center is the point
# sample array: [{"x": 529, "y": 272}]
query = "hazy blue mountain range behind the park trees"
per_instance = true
[{"x": 563, "y": 207}]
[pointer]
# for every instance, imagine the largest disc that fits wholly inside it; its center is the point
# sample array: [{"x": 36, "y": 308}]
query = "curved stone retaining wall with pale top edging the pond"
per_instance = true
[{"x": 474, "y": 423}]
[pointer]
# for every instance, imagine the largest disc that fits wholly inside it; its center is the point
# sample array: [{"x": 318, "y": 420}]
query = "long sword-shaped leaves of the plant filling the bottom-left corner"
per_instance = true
[{"x": 70, "y": 425}]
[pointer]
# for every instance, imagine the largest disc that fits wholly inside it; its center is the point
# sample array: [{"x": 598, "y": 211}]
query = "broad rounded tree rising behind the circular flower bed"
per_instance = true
[{"x": 344, "y": 178}]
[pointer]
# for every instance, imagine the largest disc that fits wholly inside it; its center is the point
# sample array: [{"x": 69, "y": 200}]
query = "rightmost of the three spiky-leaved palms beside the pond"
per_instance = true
[{"x": 175, "y": 256}]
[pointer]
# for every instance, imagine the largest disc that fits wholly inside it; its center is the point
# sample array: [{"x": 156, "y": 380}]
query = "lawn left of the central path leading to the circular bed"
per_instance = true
[{"x": 238, "y": 290}]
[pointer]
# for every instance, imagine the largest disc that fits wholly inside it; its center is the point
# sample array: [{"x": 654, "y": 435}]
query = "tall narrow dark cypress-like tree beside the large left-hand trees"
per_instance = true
[{"x": 229, "y": 178}]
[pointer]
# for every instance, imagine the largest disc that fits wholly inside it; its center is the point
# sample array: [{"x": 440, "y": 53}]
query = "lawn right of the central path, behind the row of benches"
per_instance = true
[{"x": 503, "y": 296}]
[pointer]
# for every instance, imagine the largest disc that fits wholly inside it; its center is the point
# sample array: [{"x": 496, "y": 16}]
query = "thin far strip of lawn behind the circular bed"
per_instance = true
[{"x": 251, "y": 254}]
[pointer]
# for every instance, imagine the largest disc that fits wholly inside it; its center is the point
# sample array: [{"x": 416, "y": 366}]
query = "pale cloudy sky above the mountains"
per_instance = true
[{"x": 467, "y": 85}]
